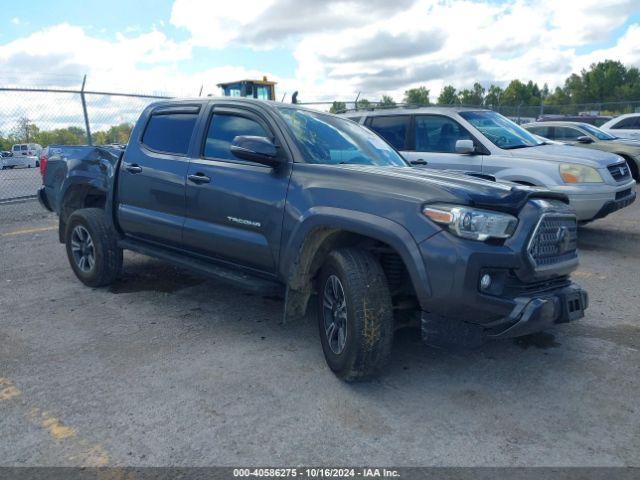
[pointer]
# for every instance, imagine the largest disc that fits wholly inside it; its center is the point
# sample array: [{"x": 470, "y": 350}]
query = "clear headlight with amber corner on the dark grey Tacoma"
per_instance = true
[{"x": 467, "y": 222}]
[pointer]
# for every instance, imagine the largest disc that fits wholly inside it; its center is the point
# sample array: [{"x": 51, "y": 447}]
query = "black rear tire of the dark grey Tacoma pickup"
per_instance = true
[{"x": 108, "y": 256}]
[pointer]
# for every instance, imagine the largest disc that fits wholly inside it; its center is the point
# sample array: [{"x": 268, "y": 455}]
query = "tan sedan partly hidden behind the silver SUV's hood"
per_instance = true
[{"x": 585, "y": 135}]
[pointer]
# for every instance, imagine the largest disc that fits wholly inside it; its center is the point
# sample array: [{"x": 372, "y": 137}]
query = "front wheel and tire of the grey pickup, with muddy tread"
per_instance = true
[{"x": 355, "y": 315}]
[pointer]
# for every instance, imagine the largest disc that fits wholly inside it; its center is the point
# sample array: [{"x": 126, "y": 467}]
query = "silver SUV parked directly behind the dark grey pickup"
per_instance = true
[{"x": 484, "y": 141}]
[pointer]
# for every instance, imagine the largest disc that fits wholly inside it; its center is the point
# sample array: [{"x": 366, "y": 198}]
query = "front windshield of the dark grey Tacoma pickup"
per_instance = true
[{"x": 332, "y": 140}]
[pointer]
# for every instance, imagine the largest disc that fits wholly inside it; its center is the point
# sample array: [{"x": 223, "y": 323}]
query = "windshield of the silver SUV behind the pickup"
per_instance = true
[{"x": 501, "y": 131}]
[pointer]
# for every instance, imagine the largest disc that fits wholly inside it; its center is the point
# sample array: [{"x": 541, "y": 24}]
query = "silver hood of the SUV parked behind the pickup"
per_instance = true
[{"x": 566, "y": 154}]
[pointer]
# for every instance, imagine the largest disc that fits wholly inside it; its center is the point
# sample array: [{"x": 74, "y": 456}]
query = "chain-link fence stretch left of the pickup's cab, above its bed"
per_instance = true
[{"x": 34, "y": 118}]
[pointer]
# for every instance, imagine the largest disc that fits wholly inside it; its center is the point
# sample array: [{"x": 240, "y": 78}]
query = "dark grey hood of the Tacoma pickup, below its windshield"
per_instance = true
[{"x": 499, "y": 195}]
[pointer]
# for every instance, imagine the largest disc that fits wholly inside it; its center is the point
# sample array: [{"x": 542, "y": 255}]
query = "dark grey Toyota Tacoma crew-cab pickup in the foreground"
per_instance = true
[{"x": 278, "y": 198}]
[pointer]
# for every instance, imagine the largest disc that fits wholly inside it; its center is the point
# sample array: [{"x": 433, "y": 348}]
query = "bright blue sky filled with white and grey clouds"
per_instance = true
[{"x": 326, "y": 49}]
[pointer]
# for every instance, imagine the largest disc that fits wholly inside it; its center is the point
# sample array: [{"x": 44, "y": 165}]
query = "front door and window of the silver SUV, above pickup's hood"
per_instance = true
[{"x": 435, "y": 142}]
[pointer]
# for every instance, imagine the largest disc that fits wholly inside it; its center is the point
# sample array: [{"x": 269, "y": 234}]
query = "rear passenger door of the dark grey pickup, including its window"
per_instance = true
[{"x": 151, "y": 182}]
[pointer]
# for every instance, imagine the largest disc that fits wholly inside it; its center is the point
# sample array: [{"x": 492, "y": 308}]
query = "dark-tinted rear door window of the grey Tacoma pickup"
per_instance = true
[{"x": 170, "y": 133}]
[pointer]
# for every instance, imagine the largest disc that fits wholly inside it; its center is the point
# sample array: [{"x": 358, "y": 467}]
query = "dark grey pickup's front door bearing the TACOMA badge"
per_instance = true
[{"x": 235, "y": 207}]
